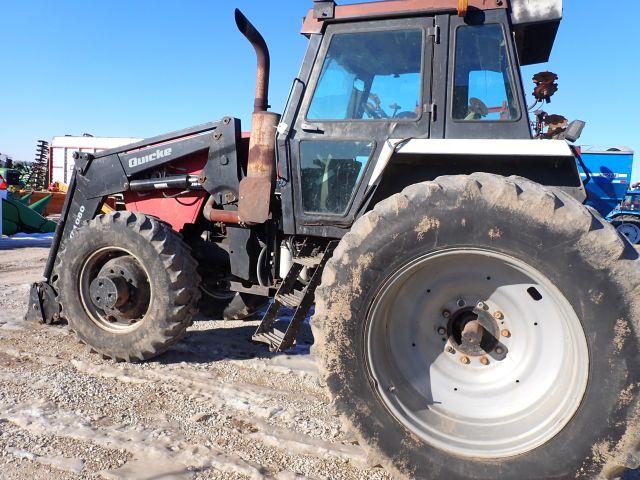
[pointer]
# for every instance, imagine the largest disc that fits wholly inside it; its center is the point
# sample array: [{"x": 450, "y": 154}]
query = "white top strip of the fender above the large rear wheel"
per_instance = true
[{"x": 536, "y": 148}]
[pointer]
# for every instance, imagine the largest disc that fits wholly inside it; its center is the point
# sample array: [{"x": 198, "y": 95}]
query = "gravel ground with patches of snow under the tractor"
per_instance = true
[{"x": 216, "y": 407}]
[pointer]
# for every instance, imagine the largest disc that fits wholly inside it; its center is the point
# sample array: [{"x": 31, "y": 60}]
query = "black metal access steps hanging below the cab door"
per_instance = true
[{"x": 292, "y": 296}]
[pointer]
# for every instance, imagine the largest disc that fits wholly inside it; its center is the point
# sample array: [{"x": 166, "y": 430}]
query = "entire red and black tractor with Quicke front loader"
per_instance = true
[{"x": 473, "y": 319}]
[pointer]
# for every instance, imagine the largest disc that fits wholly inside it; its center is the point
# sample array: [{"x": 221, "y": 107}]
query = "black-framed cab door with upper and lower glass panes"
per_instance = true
[{"x": 370, "y": 82}]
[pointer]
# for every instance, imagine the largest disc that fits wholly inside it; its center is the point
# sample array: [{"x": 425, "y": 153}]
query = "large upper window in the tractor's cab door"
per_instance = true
[{"x": 370, "y": 76}]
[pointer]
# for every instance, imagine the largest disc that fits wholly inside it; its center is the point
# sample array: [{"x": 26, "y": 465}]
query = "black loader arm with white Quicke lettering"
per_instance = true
[{"x": 134, "y": 170}]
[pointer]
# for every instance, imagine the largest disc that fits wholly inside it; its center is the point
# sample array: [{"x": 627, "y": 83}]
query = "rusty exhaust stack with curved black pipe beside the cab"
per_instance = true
[{"x": 256, "y": 189}]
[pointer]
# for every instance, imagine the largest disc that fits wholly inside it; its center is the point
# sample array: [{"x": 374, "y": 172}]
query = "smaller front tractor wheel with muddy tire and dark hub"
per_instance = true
[{"x": 160, "y": 279}]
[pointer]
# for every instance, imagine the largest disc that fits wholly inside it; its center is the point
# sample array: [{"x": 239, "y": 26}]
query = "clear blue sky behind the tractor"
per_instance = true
[{"x": 136, "y": 69}]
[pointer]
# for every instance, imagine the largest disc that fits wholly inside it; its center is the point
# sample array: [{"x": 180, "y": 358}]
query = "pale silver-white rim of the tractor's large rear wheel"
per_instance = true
[{"x": 521, "y": 399}]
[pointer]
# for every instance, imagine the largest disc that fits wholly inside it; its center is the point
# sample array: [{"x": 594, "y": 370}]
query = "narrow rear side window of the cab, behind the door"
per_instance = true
[{"x": 483, "y": 83}]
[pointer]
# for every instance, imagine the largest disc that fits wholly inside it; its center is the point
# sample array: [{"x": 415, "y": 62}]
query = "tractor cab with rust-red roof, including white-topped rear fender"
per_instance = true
[{"x": 393, "y": 90}]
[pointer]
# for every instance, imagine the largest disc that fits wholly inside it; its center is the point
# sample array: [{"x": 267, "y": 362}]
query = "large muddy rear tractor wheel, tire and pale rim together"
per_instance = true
[{"x": 546, "y": 233}]
